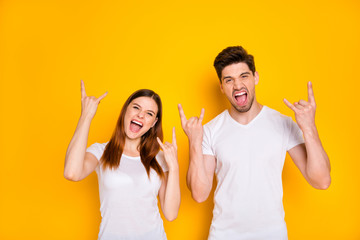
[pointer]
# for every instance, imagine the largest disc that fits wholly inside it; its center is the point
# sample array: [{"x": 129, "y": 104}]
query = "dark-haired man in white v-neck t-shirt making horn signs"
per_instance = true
[{"x": 245, "y": 147}]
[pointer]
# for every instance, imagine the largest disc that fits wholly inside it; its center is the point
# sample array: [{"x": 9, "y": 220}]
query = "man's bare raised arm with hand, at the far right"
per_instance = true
[{"x": 310, "y": 158}]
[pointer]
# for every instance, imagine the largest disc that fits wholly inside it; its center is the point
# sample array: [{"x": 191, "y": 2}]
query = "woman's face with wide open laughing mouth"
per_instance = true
[{"x": 140, "y": 116}]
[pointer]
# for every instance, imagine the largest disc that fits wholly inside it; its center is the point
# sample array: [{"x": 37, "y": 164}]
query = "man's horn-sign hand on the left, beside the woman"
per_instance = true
[{"x": 193, "y": 127}]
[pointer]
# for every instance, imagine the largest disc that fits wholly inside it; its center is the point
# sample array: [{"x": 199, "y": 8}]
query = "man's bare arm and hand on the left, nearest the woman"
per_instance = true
[{"x": 201, "y": 170}]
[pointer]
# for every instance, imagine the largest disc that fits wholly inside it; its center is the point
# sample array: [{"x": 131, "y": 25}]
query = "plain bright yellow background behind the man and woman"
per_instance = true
[{"x": 46, "y": 47}]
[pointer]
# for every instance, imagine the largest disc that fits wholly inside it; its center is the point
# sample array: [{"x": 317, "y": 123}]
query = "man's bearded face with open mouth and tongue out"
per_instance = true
[{"x": 238, "y": 84}]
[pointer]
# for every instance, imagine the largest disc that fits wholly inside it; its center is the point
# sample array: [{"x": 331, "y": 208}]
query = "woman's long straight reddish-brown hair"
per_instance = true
[{"x": 149, "y": 146}]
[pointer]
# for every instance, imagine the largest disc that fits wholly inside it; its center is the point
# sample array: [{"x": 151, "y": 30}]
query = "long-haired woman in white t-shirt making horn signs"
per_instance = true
[{"x": 131, "y": 170}]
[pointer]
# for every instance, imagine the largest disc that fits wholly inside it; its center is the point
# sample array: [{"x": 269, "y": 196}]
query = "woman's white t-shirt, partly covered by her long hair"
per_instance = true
[{"x": 128, "y": 199}]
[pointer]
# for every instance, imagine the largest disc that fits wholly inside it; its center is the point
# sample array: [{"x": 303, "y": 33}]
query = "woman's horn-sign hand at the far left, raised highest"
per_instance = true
[{"x": 89, "y": 104}]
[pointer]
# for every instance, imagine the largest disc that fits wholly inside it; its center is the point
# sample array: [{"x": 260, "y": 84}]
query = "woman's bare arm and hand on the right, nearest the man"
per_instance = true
[{"x": 169, "y": 193}]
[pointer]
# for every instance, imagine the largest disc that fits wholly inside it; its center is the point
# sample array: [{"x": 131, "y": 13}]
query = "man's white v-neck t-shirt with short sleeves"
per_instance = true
[{"x": 250, "y": 159}]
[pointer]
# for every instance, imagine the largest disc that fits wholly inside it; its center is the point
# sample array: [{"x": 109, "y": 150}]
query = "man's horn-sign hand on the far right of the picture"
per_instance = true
[{"x": 304, "y": 110}]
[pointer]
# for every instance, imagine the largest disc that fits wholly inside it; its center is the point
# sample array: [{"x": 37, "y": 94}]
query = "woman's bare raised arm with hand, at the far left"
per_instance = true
[{"x": 78, "y": 163}]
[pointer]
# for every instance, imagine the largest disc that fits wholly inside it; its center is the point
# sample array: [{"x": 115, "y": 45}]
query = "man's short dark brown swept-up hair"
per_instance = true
[{"x": 231, "y": 55}]
